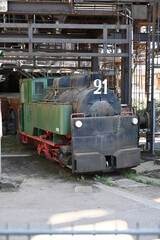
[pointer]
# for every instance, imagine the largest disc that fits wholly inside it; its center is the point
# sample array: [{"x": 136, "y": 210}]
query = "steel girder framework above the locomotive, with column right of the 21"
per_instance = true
[{"x": 70, "y": 34}]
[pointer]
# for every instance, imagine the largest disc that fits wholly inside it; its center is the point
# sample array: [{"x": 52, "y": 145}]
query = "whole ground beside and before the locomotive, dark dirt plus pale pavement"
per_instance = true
[{"x": 47, "y": 195}]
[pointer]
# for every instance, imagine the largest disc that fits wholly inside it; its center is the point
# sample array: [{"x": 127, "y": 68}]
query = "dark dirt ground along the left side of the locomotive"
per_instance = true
[{"x": 29, "y": 166}]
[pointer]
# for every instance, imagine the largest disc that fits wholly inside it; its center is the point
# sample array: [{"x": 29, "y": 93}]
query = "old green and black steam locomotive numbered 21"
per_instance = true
[{"x": 76, "y": 124}]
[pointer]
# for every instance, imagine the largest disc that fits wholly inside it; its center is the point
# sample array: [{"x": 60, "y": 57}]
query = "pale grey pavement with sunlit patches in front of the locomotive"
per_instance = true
[{"x": 43, "y": 202}]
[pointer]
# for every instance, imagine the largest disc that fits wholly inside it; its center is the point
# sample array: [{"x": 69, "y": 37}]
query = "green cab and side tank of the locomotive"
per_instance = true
[{"x": 38, "y": 117}]
